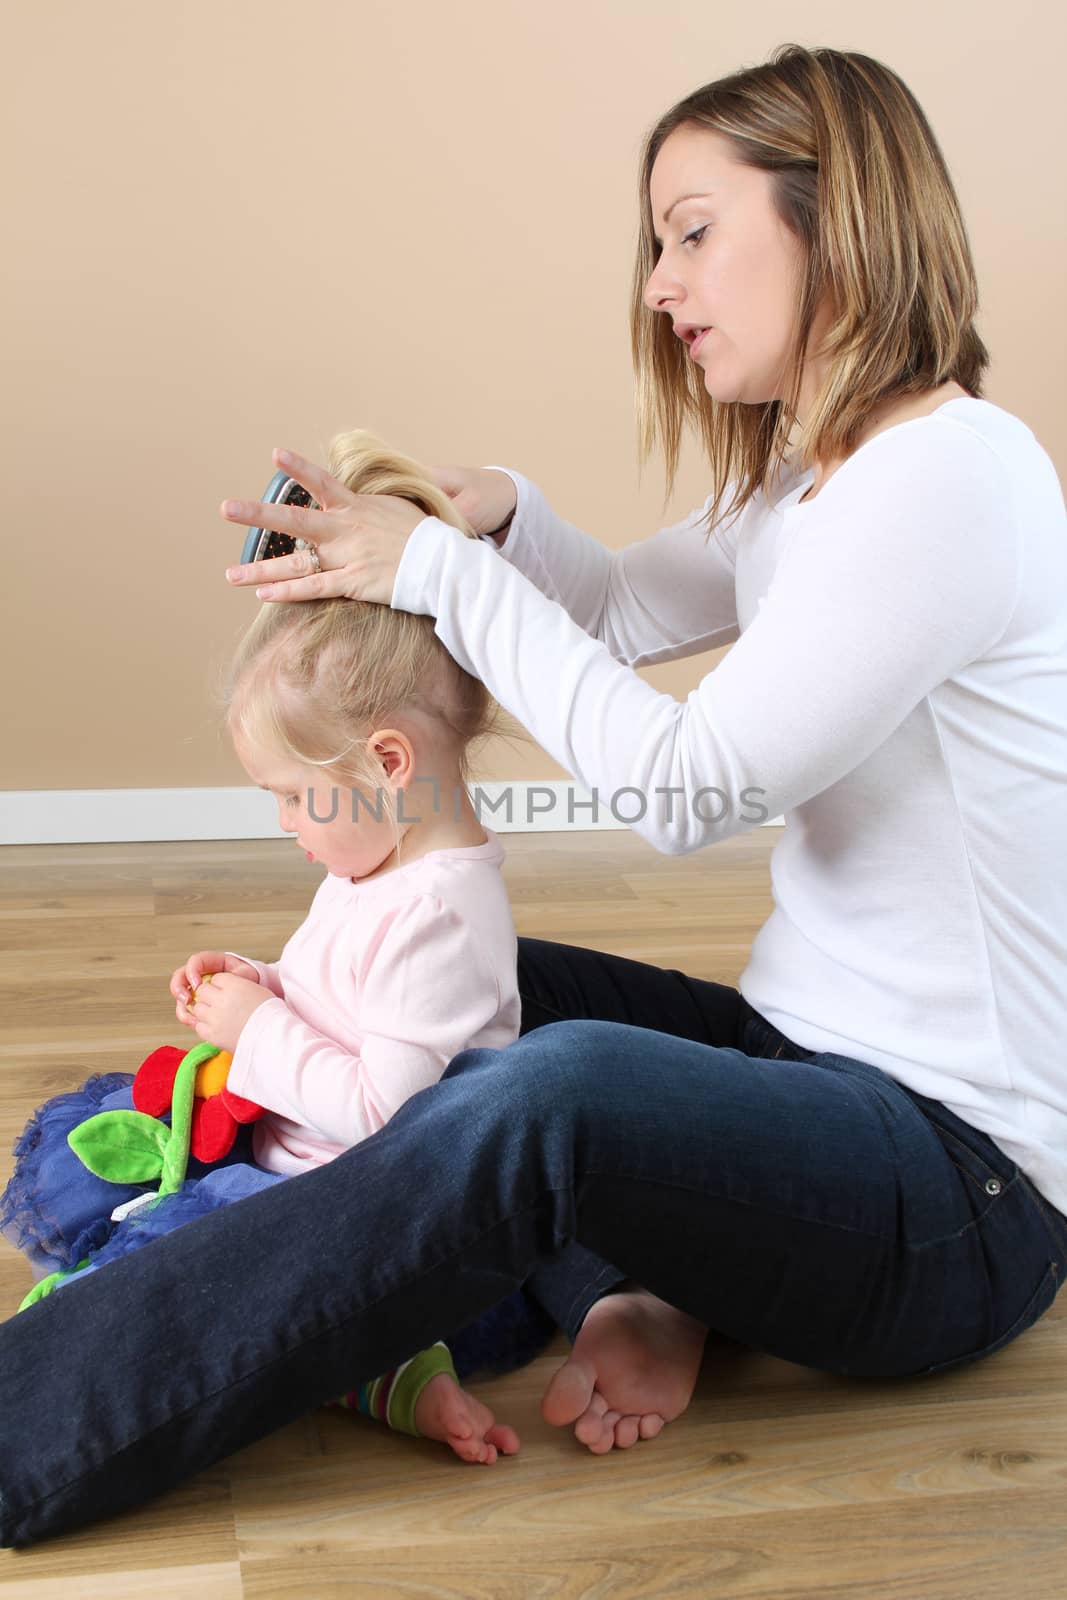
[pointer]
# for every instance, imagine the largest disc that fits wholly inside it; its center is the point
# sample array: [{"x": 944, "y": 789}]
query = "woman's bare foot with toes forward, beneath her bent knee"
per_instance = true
[{"x": 633, "y": 1370}]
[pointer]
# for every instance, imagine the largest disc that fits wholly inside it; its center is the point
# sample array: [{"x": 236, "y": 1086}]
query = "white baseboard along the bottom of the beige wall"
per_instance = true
[{"x": 106, "y": 817}]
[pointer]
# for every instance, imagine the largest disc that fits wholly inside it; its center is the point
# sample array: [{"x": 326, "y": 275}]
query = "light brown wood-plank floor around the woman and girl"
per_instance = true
[{"x": 778, "y": 1484}]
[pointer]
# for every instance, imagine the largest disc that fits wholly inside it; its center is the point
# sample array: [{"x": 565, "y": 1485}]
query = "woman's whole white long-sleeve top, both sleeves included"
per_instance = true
[{"x": 897, "y": 690}]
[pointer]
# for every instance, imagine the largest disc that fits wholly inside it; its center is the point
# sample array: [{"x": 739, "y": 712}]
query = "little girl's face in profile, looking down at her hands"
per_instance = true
[{"x": 319, "y": 812}]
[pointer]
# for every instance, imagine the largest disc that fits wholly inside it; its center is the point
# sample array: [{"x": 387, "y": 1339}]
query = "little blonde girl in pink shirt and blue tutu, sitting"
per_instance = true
[{"x": 359, "y": 722}]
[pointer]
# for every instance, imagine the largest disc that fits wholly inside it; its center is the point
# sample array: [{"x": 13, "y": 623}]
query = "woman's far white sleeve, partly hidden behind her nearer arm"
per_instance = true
[{"x": 665, "y": 598}]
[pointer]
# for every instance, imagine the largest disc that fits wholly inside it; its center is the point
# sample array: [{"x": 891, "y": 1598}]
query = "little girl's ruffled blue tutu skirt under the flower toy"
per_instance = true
[{"x": 57, "y": 1212}]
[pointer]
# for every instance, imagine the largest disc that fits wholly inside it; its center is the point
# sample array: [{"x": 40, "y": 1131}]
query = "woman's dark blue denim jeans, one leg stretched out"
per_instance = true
[{"x": 799, "y": 1202}]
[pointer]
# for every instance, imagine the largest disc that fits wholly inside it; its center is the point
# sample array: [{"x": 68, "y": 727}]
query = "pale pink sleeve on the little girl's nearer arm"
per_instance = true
[{"x": 417, "y": 998}]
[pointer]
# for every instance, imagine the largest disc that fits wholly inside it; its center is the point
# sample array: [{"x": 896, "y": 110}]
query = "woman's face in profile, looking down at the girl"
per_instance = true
[{"x": 729, "y": 263}]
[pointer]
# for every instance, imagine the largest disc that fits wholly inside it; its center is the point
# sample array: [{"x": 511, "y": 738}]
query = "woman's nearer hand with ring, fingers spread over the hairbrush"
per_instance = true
[{"x": 361, "y": 540}]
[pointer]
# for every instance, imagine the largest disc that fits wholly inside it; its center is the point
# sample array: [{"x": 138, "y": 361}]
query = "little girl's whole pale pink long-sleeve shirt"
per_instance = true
[{"x": 377, "y": 991}]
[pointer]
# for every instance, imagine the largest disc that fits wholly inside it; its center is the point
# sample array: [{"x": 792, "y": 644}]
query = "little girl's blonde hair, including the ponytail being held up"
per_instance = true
[{"x": 313, "y": 679}]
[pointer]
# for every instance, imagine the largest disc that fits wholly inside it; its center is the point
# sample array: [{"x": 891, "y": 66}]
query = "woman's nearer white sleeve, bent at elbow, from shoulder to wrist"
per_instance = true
[{"x": 906, "y": 574}]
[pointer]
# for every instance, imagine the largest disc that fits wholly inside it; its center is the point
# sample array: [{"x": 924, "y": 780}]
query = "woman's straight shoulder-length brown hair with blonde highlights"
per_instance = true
[{"x": 858, "y": 177}]
